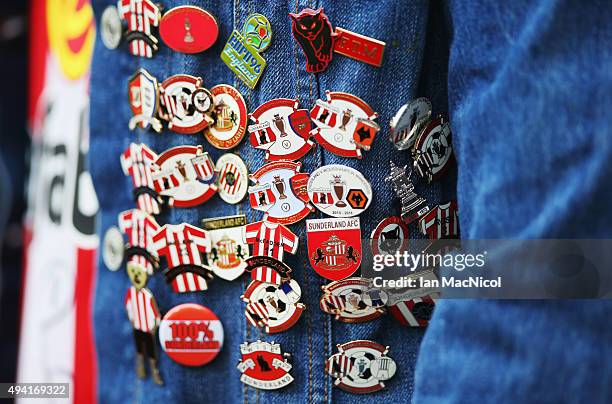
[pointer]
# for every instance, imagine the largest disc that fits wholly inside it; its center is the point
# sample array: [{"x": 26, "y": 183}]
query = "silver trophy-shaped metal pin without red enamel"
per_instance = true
[{"x": 413, "y": 206}]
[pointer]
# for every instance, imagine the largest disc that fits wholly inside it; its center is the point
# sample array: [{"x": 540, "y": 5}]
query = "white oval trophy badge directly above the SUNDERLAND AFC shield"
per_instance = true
[{"x": 339, "y": 191}]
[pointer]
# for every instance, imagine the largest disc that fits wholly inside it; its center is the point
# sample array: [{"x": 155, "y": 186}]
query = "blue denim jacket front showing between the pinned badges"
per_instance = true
[{"x": 402, "y": 25}]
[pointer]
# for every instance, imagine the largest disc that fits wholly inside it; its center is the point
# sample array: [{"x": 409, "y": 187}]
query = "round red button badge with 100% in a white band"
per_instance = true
[{"x": 191, "y": 334}]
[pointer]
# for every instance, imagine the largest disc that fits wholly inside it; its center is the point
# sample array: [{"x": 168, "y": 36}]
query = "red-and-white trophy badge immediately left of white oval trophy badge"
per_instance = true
[{"x": 279, "y": 190}]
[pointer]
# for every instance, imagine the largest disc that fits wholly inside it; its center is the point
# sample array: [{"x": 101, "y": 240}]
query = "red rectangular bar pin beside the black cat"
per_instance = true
[{"x": 359, "y": 47}]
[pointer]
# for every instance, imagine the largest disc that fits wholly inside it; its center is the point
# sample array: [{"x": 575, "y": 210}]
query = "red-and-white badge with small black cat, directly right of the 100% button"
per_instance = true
[{"x": 264, "y": 366}]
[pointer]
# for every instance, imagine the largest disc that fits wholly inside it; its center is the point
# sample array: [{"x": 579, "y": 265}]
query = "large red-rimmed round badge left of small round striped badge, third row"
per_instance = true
[{"x": 185, "y": 173}]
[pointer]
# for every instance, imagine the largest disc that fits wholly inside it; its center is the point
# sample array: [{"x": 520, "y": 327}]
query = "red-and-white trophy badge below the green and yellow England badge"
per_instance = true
[{"x": 281, "y": 129}]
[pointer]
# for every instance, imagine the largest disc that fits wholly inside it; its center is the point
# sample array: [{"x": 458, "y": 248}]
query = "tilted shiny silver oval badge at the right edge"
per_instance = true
[{"x": 409, "y": 122}]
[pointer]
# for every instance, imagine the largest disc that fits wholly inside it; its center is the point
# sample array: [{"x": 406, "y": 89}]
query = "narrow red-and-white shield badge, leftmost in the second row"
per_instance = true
[{"x": 143, "y": 95}]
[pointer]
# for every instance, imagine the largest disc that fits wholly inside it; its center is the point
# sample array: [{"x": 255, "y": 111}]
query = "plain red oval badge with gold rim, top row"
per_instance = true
[{"x": 188, "y": 29}]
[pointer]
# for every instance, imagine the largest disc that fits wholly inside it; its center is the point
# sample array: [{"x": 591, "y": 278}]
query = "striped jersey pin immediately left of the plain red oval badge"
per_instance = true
[{"x": 142, "y": 17}]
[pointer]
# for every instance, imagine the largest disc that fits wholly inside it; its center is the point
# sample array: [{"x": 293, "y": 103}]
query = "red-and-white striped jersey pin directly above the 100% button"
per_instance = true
[{"x": 183, "y": 245}]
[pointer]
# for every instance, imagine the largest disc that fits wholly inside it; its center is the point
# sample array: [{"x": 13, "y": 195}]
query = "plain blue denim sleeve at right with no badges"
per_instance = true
[{"x": 528, "y": 86}]
